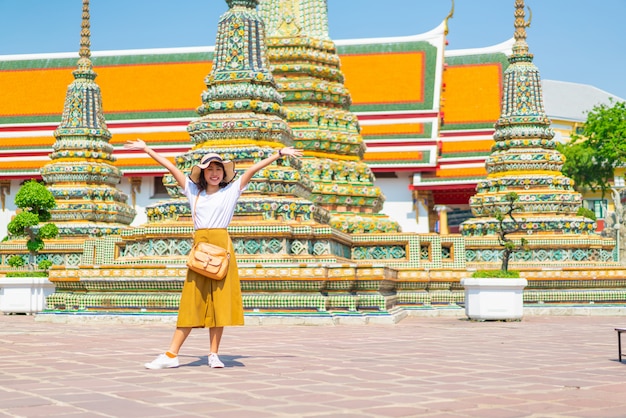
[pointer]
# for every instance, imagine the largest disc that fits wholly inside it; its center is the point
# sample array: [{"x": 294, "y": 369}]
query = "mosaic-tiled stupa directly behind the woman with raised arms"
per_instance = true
[{"x": 242, "y": 119}]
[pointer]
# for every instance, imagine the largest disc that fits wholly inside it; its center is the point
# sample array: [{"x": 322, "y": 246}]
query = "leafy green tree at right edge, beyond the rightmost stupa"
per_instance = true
[{"x": 591, "y": 158}]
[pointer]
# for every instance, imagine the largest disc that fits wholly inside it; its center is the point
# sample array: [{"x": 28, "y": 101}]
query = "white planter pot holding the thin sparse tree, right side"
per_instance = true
[{"x": 493, "y": 299}]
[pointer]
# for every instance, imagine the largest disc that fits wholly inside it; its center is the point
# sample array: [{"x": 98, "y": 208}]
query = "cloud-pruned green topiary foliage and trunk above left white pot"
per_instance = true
[{"x": 35, "y": 202}]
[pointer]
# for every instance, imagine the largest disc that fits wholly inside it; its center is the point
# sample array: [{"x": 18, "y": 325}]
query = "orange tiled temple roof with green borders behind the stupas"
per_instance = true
[{"x": 154, "y": 95}]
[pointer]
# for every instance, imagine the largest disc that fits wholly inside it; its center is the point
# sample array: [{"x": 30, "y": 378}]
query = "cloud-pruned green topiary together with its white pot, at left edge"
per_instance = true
[{"x": 25, "y": 290}]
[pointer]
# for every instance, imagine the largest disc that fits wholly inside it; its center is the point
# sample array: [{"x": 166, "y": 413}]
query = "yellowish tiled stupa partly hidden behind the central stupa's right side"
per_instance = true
[{"x": 307, "y": 70}]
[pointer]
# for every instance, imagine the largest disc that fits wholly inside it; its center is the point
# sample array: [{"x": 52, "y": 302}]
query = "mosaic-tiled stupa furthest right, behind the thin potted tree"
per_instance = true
[{"x": 524, "y": 160}]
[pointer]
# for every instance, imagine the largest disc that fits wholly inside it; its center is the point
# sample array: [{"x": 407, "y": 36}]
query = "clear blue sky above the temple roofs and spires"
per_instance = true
[{"x": 578, "y": 40}]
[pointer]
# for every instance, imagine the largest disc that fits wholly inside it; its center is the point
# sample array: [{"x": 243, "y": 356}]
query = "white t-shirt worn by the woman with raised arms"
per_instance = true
[{"x": 215, "y": 210}]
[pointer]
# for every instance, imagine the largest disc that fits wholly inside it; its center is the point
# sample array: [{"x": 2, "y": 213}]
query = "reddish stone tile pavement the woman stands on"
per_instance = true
[{"x": 543, "y": 366}]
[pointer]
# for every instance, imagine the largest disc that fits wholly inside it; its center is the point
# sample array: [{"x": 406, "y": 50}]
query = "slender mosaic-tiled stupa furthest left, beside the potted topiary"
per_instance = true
[{"x": 82, "y": 176}]
